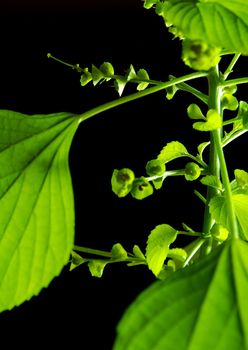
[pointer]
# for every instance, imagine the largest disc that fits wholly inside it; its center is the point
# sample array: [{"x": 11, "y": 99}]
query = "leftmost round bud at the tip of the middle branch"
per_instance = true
[{"x": 122, "y": 181}]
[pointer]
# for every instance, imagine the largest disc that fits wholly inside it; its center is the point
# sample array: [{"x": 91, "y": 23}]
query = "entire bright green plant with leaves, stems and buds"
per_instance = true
[{"x": 203, "y": 284}]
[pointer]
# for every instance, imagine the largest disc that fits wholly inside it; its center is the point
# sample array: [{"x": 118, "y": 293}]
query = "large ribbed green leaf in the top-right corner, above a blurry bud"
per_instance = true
[{"x": 221, "y": 23}]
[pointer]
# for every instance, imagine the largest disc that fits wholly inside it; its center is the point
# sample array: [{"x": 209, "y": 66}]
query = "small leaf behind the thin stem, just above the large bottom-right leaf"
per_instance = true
[{"x": 218, "y": 210}]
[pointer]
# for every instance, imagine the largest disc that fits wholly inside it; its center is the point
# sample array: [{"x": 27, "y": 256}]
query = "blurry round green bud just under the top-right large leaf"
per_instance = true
[{"x": 199, "y": 55}]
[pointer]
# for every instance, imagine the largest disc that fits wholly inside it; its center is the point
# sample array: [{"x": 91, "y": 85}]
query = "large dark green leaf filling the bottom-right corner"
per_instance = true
[{"x": 203, "y": 306}]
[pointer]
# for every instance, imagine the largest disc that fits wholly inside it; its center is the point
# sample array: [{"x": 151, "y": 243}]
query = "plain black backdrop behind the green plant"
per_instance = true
[{"x": 78, "y": 309}]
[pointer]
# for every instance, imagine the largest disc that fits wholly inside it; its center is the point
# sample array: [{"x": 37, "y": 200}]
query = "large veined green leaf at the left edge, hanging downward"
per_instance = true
[{"x": 36, "y": 202}]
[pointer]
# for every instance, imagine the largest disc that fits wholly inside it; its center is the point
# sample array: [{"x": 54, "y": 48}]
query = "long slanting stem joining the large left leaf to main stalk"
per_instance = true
[{"x": 106, "y": 106}]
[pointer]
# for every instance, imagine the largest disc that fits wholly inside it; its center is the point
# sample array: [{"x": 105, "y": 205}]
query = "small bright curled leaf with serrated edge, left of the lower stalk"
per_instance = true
[{"x": 158, "y": 244}]
